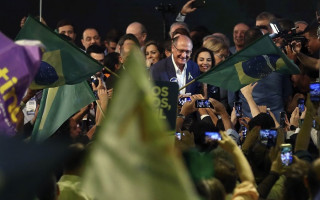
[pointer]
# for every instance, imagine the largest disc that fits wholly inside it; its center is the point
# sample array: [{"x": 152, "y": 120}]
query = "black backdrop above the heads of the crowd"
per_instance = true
[{"x": 217, "y": 15}]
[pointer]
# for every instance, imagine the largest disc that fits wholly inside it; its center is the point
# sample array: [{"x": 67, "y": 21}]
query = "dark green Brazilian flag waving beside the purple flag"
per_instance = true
[{"x": 62, "y": 62}]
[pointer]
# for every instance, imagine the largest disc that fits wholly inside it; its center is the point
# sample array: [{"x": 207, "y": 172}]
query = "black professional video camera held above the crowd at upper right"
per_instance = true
[{"x": 287, "y": 35}]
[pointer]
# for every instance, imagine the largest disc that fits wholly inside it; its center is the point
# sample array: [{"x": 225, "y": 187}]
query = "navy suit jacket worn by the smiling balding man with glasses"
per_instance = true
[{"x": 164, "y": 71}]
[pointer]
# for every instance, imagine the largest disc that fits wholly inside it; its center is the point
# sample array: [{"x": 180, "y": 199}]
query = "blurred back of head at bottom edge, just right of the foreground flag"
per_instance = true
[{"x": 211, "y": 189}]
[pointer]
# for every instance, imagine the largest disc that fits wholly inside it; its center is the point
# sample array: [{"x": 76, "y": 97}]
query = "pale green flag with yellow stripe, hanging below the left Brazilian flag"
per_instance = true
[{"x": 57, "y": 105}]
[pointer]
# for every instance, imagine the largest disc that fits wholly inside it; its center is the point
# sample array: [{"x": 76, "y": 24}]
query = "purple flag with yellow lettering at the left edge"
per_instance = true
[{"x": 18, "y": 65}]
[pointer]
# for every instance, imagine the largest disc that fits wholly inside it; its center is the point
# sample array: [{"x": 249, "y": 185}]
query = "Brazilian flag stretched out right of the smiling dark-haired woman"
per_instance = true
[{"x": 249, "y": 65}]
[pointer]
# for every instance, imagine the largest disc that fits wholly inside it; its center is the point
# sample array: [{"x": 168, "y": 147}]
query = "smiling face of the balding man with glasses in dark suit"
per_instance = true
[{"x": 181, "y": 50}]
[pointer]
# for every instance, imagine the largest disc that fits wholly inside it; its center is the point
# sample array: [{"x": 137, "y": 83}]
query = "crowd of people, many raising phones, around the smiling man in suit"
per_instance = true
[{"x": 246, "y": 165}]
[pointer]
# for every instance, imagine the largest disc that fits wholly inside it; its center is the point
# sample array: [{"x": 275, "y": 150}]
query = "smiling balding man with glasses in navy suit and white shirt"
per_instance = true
[{"x": 178, "y": 68}]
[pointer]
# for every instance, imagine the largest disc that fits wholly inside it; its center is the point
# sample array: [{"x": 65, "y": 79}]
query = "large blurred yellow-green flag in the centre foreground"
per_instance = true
[{"x": 132, "y": 156}]
